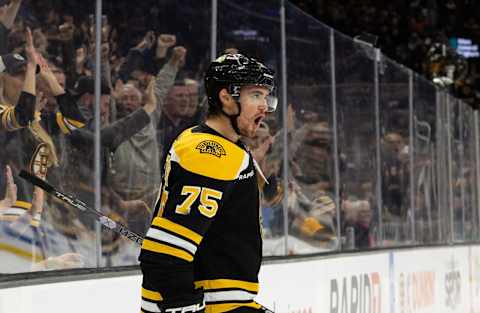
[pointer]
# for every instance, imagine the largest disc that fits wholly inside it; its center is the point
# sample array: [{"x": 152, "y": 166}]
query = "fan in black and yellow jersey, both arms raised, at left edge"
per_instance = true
[{"x": 34, "y": 147}]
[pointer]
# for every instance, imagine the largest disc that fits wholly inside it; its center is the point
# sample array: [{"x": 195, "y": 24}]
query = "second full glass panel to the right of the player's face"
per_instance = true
[{"x": 354, "y": 72}]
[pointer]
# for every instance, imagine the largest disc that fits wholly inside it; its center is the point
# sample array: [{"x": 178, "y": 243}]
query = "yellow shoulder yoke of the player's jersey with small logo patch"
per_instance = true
[{"x": 209, "y": 155}]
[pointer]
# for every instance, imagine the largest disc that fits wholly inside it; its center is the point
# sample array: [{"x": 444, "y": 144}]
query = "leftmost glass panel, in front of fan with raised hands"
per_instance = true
[{"x": 40, "y": 232}]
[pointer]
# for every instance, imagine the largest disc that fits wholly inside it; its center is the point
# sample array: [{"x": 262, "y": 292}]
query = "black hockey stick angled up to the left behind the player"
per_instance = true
[{"x": 104, "y": 220}]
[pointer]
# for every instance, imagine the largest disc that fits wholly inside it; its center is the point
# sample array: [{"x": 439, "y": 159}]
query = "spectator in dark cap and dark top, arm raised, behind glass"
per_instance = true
[{"x": 76, "y": 172}]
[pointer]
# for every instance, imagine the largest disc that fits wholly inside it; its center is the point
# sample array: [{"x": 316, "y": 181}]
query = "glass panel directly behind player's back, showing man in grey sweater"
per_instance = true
[{"x": 147, "y": 42}]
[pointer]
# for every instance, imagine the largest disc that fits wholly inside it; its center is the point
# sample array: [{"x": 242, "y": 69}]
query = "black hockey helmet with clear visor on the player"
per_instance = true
[{"x": 232, "y": 71}]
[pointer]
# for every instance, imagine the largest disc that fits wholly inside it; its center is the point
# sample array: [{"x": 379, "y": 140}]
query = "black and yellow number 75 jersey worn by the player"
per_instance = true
[{"x": 205, "y": 232}]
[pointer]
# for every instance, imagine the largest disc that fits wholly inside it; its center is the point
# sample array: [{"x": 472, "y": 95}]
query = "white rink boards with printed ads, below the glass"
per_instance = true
[{"x": 425, "y": 280}]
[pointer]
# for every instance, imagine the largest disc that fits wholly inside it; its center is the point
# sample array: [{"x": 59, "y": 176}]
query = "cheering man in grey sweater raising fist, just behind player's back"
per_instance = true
[{"x": 135, "y": 160}]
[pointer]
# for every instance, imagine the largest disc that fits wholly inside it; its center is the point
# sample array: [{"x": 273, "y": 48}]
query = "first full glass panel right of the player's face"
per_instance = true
[{"x": 312, "y": 212}]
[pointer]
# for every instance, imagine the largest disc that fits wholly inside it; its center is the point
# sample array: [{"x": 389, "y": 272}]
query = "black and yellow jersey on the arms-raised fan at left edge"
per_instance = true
[{"x": 25, "y": 148}]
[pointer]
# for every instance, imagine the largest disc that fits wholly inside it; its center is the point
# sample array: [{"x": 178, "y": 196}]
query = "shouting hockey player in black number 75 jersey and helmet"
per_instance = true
[{"x": 203, "y": 250}]
